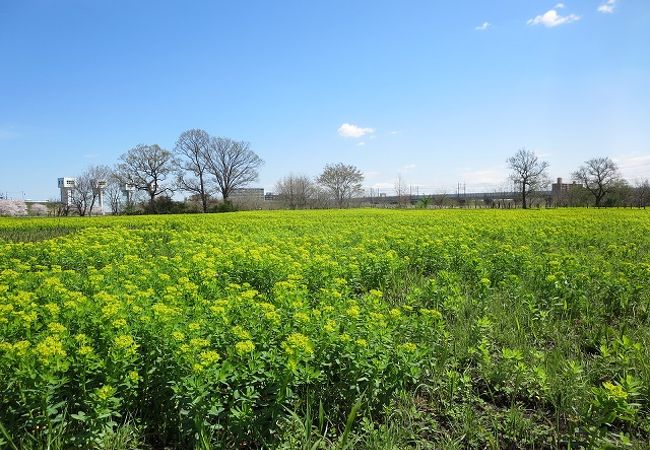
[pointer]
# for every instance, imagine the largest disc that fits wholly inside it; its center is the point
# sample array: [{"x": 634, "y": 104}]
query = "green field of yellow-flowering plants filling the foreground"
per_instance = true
[{"x": 327, "y": 329}]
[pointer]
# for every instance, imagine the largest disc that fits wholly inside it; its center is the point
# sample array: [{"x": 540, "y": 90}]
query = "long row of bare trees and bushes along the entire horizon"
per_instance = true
[{"x": 211, "y": 169}]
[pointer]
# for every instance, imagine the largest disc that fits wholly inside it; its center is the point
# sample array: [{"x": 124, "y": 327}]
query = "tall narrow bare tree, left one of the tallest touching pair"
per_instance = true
[{"x": 192, "y": 165}]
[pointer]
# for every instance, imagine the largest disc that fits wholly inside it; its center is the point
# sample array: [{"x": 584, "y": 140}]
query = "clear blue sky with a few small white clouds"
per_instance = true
[{"x": 439, "y": 92}]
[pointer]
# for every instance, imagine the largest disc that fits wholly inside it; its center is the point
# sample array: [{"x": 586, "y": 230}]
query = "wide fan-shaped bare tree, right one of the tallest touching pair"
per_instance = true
[{"x": 232, "y": 164}]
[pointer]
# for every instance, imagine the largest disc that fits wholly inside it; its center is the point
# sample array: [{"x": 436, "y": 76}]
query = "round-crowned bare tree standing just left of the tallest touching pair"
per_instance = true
[{"x": 147, "y": 167}]
